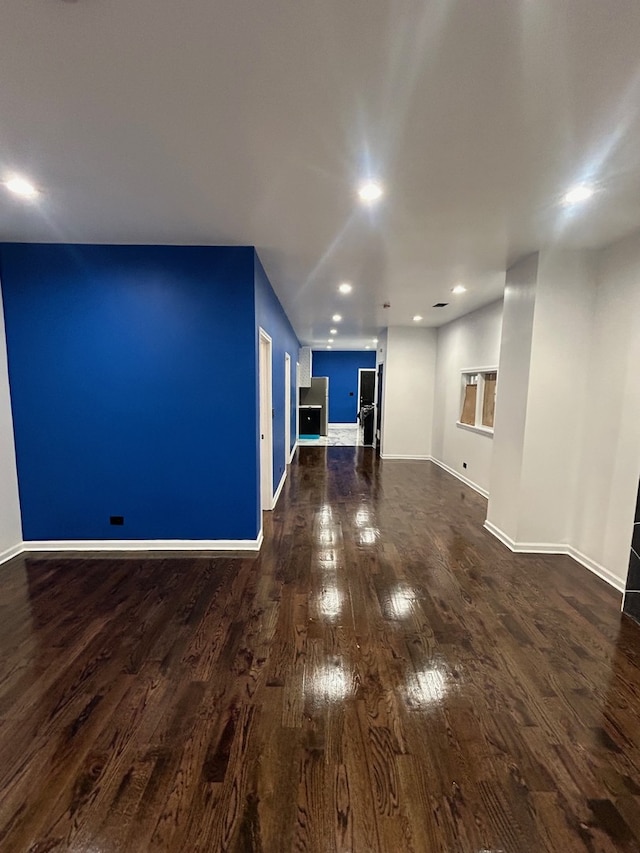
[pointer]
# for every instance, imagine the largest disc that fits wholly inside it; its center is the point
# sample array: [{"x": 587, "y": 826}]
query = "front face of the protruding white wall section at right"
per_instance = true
[{"x": 552, "y": 455}]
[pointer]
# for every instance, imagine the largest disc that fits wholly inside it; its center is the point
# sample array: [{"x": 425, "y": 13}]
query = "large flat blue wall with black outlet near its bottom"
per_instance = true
[{"x": 133, "y": 375}]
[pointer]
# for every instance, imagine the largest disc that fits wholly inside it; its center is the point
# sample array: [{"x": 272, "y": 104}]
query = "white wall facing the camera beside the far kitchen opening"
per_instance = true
[{"x": 409, "y": 379}]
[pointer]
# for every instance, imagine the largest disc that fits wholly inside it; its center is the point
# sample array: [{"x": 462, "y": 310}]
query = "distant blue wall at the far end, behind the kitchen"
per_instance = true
[{"x": 341, "y": 366}]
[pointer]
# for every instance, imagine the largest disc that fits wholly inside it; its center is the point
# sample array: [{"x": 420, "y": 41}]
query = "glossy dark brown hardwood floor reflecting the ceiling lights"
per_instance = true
[{"x": 385, "y": 676}]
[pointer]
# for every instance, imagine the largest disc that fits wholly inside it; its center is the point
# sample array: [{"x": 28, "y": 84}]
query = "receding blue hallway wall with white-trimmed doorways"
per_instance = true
[{"x": 271, "y": 317}]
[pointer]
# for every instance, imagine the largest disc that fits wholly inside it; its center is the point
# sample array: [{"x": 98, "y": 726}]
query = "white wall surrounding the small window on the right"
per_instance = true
[{"x": 472, "y": 341}]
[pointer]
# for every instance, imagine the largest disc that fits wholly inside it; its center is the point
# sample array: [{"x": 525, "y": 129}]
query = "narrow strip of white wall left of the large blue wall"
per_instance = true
[{"x": 10, "y": 525}]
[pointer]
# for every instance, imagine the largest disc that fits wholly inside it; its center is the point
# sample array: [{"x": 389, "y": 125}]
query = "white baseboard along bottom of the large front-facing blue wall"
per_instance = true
[{"x": 33, "y": 546}]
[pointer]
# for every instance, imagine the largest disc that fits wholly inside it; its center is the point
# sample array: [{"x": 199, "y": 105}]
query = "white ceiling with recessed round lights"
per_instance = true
[{"x": 252, "y": 122}]
